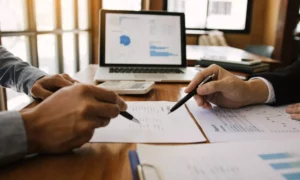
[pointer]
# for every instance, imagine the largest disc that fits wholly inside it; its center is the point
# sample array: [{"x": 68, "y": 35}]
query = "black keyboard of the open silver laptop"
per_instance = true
[{"x": 144, "y": 70}]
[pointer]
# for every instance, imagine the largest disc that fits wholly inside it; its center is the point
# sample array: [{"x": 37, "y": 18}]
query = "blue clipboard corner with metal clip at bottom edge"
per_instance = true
[{"x": 142, "y": 171}]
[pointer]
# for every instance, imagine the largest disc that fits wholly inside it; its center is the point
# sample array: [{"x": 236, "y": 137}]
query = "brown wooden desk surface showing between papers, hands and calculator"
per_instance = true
[{"x": 94, "y": 161}]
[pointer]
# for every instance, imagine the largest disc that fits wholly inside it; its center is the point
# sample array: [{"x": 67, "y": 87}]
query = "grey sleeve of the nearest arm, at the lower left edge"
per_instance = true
[{"x": 13, "y": 140}]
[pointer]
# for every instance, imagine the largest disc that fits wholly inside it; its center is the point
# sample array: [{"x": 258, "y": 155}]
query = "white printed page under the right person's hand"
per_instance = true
[{"x": 248, "y": 123}]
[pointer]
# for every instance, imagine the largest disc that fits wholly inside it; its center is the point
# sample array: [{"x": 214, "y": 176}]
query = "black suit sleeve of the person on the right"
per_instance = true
[{"x": 286, "y": 83}]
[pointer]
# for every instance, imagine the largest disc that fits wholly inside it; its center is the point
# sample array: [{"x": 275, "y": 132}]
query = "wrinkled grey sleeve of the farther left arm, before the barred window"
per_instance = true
[{"x": 17, "y": 74}]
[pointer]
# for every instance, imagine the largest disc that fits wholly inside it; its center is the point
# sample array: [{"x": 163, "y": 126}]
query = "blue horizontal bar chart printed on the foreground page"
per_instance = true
[{"x": 282, "y": 161}]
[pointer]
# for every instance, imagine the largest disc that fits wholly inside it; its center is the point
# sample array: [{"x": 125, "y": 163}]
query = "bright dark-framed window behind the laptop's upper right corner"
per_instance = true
[{"x": 228, "y": 15}]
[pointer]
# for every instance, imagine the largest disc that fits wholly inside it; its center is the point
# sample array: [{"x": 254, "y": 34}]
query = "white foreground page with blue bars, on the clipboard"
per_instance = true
[{"x": 259, "y": 160}]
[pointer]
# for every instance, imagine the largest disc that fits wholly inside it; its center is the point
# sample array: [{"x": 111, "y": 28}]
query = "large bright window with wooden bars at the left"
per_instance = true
[{"x": 53, "y": 35}]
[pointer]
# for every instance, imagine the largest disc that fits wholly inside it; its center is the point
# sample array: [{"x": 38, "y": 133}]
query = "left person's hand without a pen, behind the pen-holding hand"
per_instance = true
[{"x": 47, "y": 85}]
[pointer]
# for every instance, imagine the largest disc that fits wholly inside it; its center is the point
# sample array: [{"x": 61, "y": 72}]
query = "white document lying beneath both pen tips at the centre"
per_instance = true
[{"x": 157, "y": 126}]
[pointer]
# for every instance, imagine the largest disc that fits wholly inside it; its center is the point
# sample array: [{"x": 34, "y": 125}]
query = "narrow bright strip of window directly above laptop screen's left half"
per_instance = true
[{"x": 122, "y": 4}]
